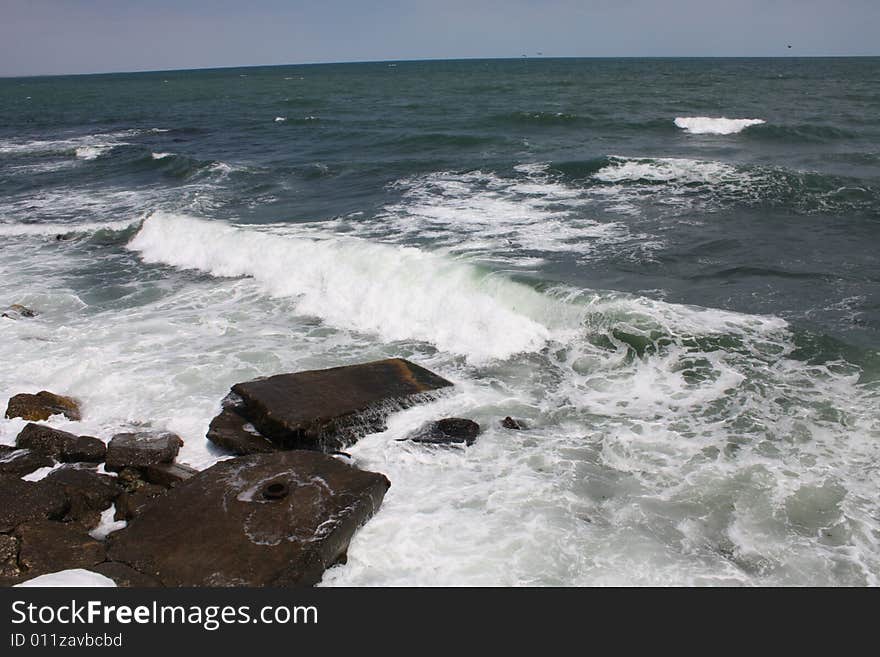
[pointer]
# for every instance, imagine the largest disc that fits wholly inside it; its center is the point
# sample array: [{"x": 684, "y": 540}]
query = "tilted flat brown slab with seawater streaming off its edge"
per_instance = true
[{"x": 329, "y": 409}]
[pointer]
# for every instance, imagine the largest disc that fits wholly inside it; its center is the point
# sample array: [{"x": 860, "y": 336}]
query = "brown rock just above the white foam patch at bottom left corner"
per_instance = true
[{"x": 47, "y": 547}]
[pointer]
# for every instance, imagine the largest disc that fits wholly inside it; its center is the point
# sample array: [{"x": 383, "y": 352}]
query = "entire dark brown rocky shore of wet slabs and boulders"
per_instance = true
[{"x": 279, "y": 512}]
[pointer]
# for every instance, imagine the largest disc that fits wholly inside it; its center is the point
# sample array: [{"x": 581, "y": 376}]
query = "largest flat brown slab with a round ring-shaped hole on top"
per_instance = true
[{"x": 260, "y": 520}]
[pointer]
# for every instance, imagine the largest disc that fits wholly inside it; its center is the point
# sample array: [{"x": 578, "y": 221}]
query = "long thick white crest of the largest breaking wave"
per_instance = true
[{"x": 396, "y": 292}]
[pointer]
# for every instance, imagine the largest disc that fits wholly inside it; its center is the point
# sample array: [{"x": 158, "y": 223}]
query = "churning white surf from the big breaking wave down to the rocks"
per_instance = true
[{"x": 667, "y": 444}]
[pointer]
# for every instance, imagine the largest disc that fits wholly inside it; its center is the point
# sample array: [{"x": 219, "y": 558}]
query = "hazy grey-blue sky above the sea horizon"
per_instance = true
[{"x": 94, "y": 36}]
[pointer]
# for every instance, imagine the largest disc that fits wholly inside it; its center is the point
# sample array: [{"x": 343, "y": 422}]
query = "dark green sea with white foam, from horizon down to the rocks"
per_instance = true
[{"x": 668, "y": 268}]
